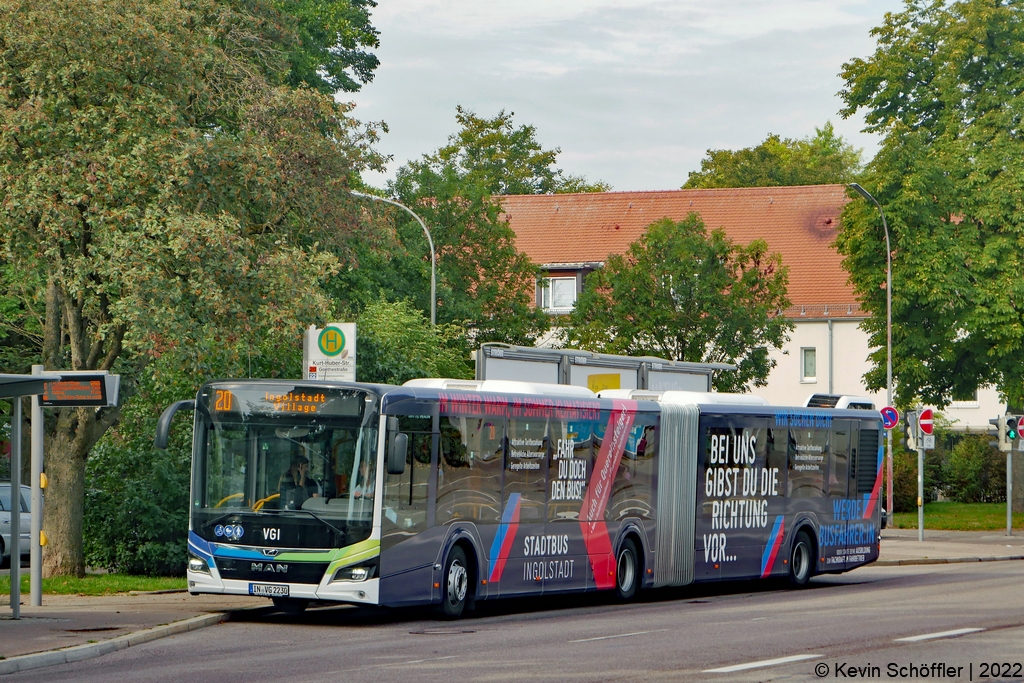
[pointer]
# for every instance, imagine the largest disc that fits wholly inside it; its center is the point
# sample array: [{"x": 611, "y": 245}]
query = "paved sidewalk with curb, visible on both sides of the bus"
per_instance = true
[{"x": 71, "y": 628}]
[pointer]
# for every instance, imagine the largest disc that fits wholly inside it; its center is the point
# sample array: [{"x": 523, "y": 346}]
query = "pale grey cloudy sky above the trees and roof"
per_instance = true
[{"x": 634, "y": 93}]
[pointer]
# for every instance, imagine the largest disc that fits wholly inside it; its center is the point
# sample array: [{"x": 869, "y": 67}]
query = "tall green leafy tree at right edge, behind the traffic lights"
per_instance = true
[{"x": 944, "y": 91}]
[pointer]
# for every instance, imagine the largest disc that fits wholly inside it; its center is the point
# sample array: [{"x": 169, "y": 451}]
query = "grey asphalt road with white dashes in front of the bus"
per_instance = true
[{"x": 851, "y": 623}]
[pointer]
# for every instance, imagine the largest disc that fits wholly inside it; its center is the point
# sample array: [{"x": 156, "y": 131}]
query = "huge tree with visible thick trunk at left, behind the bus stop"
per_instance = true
[{"x": 161, "y": 197}]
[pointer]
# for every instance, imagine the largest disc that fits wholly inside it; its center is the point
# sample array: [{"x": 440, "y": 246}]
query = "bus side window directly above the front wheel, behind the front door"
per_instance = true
[{"x": 470, "y": 473}]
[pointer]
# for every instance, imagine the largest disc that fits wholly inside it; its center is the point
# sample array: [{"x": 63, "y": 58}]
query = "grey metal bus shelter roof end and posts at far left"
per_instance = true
[{"x": 17, "y": 388}]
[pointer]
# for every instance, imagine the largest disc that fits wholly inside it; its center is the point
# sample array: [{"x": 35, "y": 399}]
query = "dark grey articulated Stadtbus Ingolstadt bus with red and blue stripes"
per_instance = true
[{"x": 448, "y": 493}]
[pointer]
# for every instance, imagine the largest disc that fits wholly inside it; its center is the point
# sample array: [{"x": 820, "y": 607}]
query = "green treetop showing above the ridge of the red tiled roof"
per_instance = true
[{"x": 822, "y": 159}]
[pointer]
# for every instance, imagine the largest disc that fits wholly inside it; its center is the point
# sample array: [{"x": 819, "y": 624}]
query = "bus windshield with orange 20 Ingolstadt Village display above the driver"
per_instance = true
[{"x": 303, "y": 455}]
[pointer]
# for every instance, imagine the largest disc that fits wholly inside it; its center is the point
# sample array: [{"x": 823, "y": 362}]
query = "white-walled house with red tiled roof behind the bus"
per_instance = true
[{"x": 571, "y": 236}]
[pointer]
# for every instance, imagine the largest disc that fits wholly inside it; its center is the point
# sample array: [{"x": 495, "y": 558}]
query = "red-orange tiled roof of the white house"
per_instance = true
[{"x": 799, "y": 223}]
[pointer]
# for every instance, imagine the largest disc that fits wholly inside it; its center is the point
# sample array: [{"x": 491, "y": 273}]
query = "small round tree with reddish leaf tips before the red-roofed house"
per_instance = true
[{"x": 684, "y": 294}]
